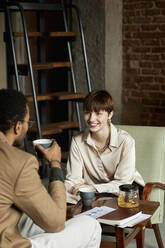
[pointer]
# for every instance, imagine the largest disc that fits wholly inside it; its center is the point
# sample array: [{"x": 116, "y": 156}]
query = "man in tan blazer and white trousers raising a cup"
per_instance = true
[{"x": 31, "y": 216}]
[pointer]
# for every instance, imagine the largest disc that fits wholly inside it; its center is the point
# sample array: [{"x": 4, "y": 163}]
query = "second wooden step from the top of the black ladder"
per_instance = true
[{"x": 50, "y": 65}]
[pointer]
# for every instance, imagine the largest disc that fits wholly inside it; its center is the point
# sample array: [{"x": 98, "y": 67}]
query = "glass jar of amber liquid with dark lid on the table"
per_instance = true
[{"x": 128, "y": 196}]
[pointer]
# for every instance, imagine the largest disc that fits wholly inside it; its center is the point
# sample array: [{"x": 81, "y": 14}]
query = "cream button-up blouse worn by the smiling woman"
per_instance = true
[{"x": 105, "y": 171}]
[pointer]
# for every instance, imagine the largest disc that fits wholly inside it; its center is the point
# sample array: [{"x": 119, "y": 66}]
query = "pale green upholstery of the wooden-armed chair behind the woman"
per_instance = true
[{"x": 150, "y": 159}]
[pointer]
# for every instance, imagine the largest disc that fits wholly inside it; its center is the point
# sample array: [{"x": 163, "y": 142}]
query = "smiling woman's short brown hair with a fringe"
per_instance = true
[{"x": 98, "y": 100}]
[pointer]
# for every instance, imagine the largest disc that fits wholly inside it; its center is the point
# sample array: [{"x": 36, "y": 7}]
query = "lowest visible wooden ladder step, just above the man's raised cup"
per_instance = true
[{"x": 55, "y": 128}]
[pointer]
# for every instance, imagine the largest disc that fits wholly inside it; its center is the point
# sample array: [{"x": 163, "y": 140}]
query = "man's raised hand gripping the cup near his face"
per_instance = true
[{"x": 51, "y": 154}]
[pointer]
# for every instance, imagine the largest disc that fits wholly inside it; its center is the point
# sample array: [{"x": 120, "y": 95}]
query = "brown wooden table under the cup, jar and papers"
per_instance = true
[{"x": 122, "y": 240}]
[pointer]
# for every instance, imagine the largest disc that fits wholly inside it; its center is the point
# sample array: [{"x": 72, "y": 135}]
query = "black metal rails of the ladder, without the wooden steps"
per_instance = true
[{"x": 22, "y": 7}]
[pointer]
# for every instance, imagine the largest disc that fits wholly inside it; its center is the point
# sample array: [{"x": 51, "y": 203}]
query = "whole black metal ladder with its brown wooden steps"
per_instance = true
[{"x": 39, "y": 93}]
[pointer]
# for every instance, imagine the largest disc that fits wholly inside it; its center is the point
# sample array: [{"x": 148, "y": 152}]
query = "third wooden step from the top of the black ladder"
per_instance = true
[{"x": 58, "y": 96}]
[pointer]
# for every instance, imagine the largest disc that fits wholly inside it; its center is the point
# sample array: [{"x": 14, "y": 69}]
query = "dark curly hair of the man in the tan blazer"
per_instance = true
[{"x": 12, "y": 108}]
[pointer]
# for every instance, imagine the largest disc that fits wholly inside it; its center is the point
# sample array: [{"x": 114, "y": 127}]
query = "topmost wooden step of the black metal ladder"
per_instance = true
[{"x": 46, "y": 34}]
